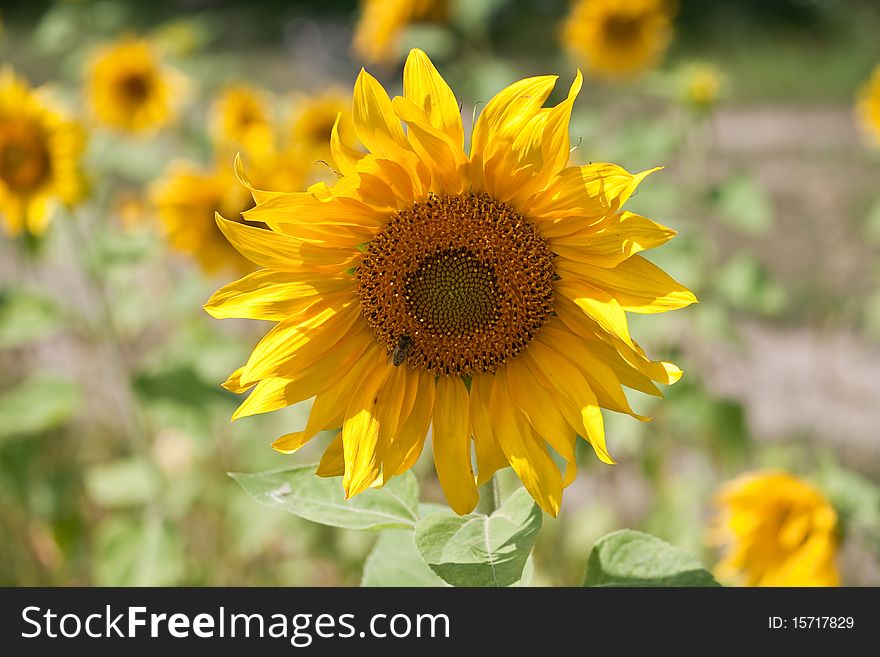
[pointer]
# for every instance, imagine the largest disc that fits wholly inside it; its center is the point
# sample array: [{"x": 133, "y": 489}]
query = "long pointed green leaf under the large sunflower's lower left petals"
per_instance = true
[{"x": 320, "y": 499}]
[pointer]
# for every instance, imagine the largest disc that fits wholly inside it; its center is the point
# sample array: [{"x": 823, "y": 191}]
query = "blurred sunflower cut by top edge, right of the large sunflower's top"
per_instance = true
[{"x": 618, "y": 38}]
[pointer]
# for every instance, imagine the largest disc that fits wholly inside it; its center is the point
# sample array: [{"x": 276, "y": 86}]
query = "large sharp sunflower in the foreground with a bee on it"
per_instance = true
[{"x": 483, "y": 294}]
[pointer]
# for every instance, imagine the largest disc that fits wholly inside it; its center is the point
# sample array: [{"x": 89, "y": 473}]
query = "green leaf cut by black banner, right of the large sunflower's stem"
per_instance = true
[{"x": 631, "y": 558}]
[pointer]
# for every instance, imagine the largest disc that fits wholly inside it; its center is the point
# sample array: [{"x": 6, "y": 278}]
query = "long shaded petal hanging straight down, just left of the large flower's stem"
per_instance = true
[{"x": 452, "y": 456}]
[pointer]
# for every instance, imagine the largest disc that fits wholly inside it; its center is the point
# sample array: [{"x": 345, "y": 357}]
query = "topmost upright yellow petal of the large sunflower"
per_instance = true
[{"x": 424, "y": 86}]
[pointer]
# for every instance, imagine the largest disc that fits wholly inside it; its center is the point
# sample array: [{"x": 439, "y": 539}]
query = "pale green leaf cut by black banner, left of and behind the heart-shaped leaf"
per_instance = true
[{"x": 395, "y": 561}]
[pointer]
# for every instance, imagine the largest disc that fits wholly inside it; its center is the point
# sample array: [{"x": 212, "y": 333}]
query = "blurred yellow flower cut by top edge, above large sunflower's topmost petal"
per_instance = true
[{"x": 377, "y": 34}]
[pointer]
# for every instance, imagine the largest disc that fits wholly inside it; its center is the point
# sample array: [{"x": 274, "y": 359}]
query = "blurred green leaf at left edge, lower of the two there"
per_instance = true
[{"x": 37, "y": 405}]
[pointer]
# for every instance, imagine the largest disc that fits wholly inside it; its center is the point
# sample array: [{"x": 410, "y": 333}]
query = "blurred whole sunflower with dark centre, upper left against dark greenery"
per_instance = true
[{"x": 130, "y": 89}]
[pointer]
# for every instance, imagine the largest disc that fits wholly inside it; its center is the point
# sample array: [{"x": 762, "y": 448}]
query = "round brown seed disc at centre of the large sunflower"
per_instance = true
[{"x": 467, "y": 279}]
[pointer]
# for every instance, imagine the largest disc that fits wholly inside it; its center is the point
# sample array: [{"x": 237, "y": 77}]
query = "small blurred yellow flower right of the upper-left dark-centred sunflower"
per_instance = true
[{"x": 241, "y": 116}]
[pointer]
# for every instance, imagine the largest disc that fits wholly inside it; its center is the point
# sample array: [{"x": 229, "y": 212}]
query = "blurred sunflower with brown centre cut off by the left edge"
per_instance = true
[{"x": 40, "y": 151}]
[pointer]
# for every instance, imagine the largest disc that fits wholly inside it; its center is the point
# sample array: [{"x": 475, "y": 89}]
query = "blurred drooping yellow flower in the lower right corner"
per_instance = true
[{"x": 779, "y": 531}]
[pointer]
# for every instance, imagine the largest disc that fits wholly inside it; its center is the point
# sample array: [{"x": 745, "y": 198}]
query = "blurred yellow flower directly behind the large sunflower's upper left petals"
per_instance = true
[{"x": 186, "y": 199}]
